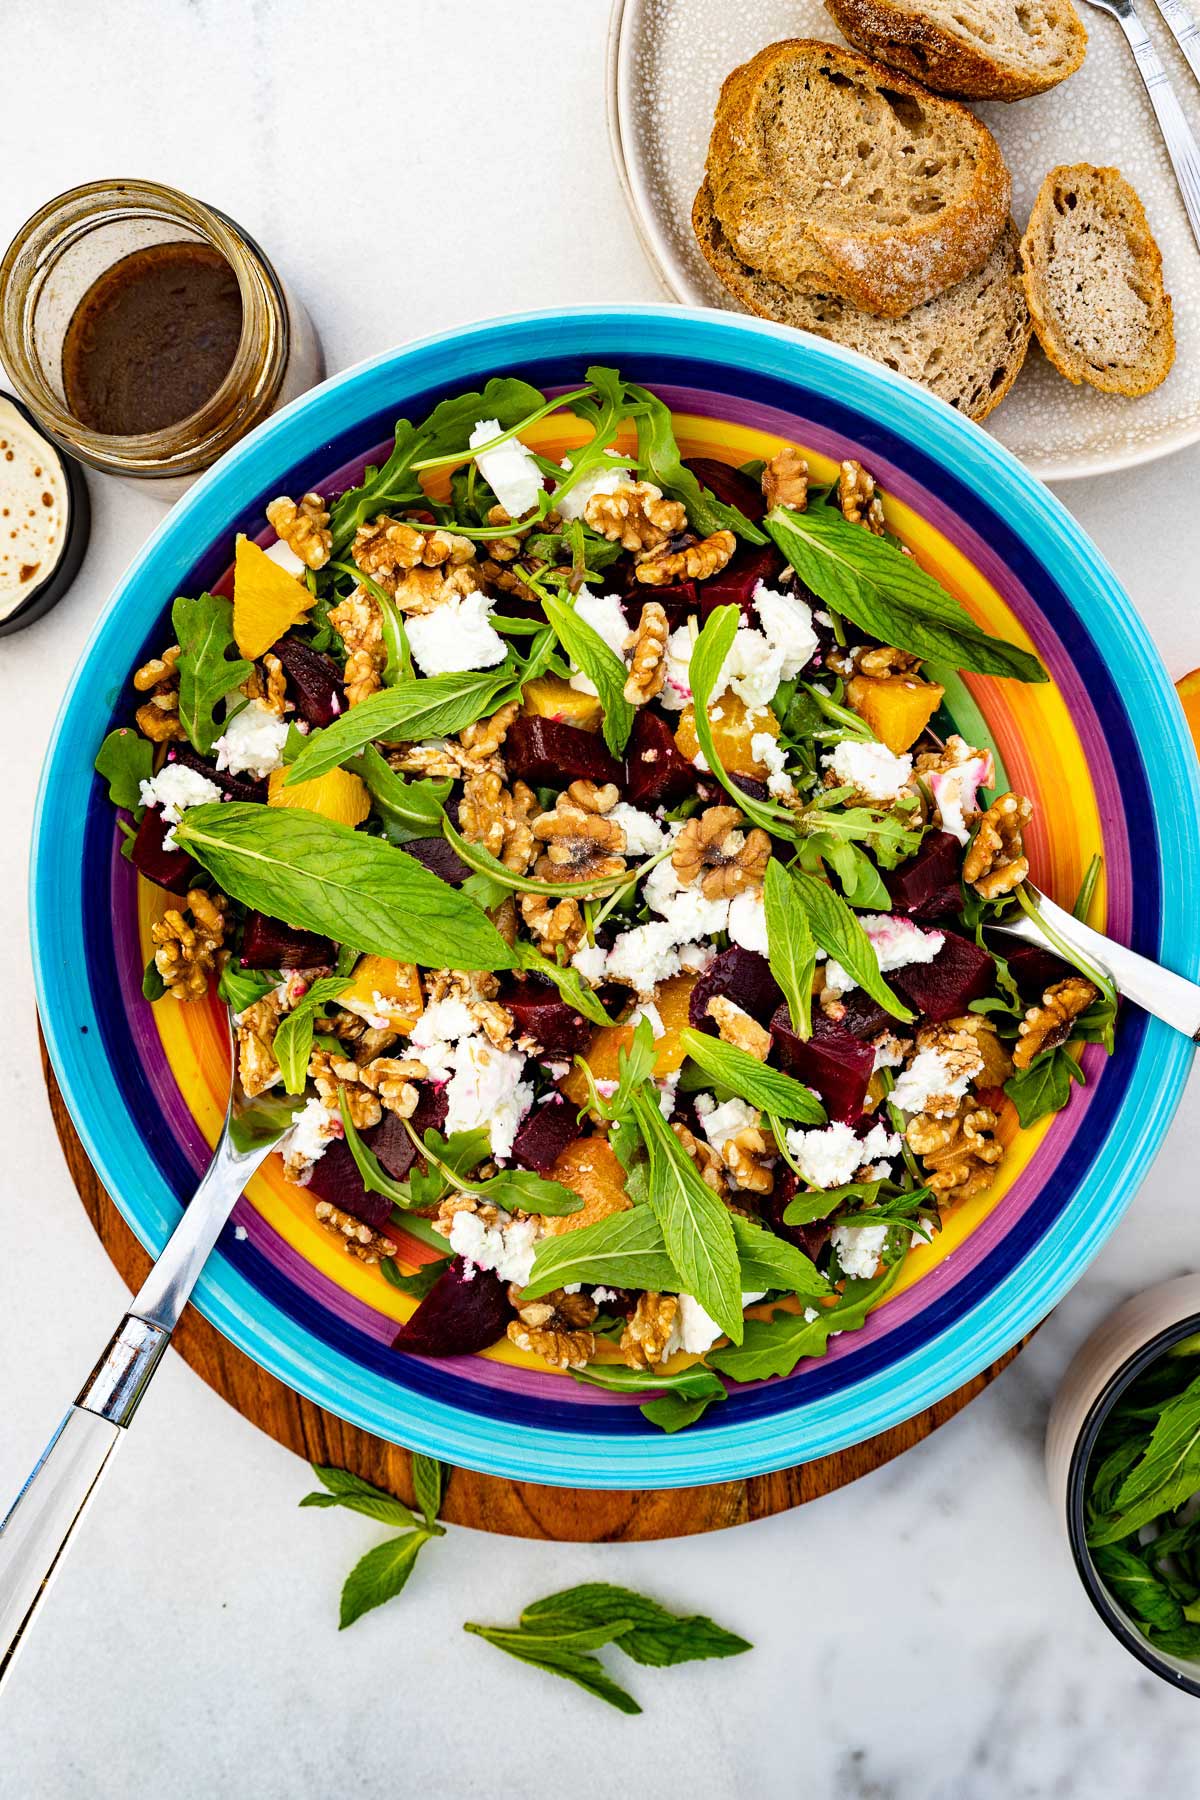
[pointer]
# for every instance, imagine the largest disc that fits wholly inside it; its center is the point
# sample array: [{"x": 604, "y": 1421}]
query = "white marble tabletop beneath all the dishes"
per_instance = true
[{"x": 917, "y": 1637}]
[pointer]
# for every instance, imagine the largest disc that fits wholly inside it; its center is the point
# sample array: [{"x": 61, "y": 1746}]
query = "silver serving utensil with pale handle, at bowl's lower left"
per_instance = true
[{"x": 46, "y": 1513}]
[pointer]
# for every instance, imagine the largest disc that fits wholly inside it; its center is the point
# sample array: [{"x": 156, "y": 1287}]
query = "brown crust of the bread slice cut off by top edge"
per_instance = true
[{"x": 947, "y": 62}]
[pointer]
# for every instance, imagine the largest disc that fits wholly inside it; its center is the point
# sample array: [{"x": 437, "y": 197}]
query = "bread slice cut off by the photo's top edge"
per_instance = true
[{"x": 974, "y": 49}]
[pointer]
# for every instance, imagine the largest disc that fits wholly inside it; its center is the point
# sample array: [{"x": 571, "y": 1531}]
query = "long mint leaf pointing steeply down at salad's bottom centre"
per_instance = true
[{"x": 697, "y": 1228}]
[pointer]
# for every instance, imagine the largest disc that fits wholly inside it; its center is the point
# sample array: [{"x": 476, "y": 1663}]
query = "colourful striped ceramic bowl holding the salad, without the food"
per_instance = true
[{"x": 1102, "y": 751}]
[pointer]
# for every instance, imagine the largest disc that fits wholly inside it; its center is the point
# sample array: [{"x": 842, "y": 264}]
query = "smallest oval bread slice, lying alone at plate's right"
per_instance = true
[{"x": 1095, "y": 282}]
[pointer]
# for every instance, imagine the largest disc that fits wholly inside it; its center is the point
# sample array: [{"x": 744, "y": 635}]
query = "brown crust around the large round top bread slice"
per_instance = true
[{"x": 879, "y": 267}]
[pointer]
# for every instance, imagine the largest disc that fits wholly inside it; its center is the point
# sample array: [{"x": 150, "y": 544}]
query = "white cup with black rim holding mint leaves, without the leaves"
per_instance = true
[{"x": 1118, "y": 1351}]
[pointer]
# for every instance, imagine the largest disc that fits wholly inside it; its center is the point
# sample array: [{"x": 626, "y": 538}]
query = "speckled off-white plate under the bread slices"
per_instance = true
[{"x": 667, "y": 64}]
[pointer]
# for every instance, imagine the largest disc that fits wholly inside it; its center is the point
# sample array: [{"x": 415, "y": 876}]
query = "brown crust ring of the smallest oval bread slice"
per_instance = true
[{"x": 1037, "y": 251}]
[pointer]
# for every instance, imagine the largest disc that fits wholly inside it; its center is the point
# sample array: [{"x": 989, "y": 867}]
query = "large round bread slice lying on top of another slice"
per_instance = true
[{"x": 837, "y": 172}]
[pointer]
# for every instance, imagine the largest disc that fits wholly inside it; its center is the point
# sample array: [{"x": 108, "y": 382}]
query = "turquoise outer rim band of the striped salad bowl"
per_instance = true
[{"x": 990, "y": 1326}]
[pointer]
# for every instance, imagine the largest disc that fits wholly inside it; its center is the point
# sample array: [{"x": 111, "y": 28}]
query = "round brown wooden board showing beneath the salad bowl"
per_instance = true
[{"x": 517, "y": 1509}]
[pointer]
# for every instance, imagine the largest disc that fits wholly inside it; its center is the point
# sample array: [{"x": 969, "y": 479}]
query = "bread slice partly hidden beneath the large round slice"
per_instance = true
[{"x": 967, "y": 346}]
